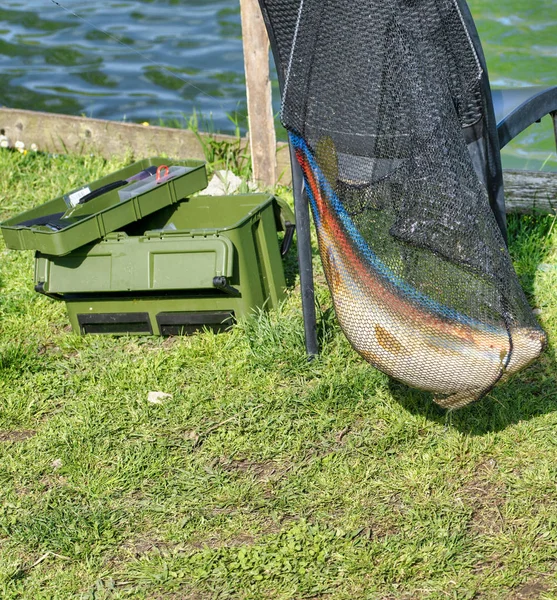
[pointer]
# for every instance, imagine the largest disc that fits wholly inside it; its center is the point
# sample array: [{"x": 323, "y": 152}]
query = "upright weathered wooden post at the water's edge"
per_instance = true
[{"x": 258, "y": 89}]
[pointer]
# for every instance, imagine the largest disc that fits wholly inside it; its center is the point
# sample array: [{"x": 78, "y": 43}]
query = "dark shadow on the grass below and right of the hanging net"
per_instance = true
[{"x": 527, "y": 395}]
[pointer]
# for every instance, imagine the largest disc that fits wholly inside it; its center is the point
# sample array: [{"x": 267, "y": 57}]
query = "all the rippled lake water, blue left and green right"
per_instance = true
[{"x": 116, "y": 60}]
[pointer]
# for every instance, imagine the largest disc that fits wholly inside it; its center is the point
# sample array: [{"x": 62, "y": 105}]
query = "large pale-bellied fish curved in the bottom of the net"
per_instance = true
[{"x": 398, "y": 329}]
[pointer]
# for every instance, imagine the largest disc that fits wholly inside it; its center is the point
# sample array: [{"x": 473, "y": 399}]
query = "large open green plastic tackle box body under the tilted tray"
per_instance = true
[{"x": 200, "y": 263}]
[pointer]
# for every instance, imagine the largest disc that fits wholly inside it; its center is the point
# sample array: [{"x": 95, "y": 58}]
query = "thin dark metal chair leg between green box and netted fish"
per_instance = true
[{"x": 303, "y": 237}]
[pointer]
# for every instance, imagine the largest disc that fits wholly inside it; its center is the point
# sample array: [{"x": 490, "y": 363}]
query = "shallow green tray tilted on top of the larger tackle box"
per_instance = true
[{"x": 60, "y": 226}]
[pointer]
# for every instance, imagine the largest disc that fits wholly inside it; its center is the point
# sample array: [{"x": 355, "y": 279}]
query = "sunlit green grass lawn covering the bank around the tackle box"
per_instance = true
[{"x": 263, "y": 475}]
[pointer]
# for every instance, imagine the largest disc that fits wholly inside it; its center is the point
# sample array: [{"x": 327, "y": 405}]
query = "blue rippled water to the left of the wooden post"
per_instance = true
[{"x": 52, "y": 61}]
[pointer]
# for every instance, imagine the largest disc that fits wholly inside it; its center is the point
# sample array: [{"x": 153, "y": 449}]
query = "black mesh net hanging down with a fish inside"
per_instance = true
[{"x": 381, "y": 99}]
